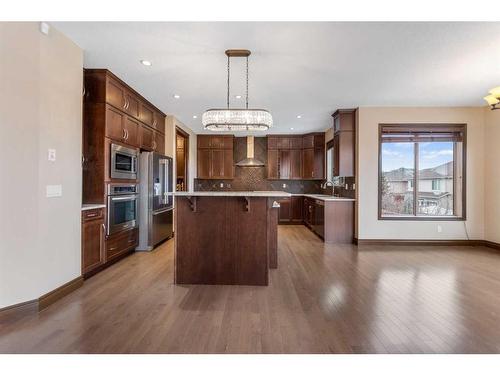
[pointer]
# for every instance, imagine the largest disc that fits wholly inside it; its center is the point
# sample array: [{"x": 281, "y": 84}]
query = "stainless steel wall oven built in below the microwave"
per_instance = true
[{"x": 122, "y": 207}]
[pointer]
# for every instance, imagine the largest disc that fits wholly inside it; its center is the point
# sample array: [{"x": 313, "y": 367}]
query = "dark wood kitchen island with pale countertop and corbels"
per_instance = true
[{"x": 225, "y": 237}]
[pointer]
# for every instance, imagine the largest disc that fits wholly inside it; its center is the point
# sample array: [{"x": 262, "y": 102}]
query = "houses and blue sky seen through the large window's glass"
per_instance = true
[{"x": 431, "y": 192}]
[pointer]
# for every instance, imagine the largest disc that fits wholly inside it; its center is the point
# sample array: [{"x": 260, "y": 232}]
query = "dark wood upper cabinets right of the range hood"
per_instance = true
[{"x": 295, "y": 157}]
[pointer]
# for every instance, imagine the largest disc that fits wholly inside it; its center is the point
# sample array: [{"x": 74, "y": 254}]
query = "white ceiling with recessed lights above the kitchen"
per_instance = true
[{"x": 307, "y": 69}]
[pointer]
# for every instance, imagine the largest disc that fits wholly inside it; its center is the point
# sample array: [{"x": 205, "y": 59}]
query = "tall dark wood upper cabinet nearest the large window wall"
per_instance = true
[{"x": 344, "y": 141}]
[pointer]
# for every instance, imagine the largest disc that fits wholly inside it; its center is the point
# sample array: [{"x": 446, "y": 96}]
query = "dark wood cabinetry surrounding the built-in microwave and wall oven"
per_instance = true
[{"x": 113, "y": 113}]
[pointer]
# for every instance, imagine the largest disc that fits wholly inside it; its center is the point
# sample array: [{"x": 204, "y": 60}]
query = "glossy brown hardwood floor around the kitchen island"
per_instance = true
[{"x": 321, "y": 299}]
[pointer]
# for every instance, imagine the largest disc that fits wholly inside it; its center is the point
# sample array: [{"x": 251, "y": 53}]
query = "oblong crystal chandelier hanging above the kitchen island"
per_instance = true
[{"x": 237, "y": 119}]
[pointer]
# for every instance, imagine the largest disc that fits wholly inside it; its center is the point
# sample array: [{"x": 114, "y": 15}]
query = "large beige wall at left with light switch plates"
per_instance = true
[{"x": 40, "y": 108}]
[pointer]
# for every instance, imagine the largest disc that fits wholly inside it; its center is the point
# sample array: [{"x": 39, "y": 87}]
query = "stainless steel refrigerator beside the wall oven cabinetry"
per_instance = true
[{"x": 155, "y": 201}]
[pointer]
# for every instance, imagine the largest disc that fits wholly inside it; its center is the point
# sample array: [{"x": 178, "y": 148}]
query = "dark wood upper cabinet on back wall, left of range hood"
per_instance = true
[{"x": 215, "y": 157}]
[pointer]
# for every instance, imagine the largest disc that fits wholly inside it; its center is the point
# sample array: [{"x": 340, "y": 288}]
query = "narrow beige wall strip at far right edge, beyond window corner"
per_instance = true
[{"x": 492, "y": 175}]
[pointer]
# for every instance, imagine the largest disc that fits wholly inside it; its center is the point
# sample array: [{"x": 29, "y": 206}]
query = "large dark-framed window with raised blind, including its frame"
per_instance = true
[{"x": 437, "y": 190}]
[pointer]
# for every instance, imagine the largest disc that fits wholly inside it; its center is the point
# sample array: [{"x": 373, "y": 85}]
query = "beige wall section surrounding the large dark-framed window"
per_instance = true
[{"x": 369, "y": 227}]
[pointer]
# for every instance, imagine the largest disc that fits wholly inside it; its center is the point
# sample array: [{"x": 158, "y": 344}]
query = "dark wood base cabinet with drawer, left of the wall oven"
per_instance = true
[{"x": 92, "y": 239}]
